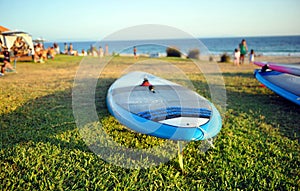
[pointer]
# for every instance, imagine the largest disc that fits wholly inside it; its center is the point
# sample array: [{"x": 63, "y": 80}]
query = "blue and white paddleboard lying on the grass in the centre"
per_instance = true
[{"x": 162, "y": 108}]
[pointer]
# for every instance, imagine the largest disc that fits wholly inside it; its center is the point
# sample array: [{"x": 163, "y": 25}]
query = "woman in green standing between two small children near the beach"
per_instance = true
[{"x": 241, "y": 52}]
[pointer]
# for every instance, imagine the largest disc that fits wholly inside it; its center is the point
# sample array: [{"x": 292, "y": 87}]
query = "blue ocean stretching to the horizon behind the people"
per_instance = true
[{"x": 274, "y": 46}]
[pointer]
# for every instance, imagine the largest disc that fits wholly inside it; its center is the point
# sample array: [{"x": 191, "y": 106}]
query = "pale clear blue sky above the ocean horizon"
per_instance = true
[{"x": 61, "y": 20}]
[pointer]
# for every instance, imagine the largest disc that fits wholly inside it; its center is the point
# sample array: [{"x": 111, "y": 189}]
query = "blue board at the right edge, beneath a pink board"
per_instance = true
[{"x": 285, "y": 85}]
